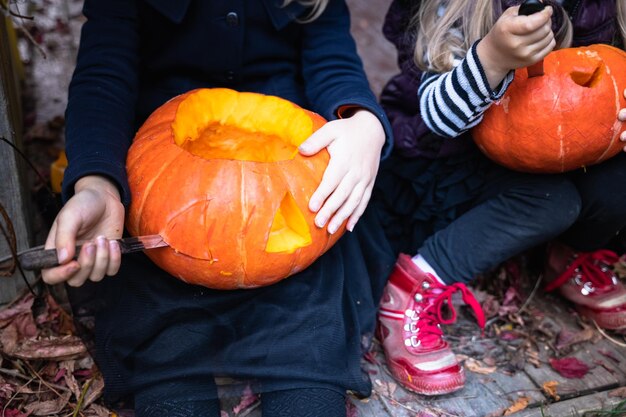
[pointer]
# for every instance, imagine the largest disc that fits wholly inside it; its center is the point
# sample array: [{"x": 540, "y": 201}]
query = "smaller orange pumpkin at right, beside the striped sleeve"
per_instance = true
[{"x": 562, "y": 120}]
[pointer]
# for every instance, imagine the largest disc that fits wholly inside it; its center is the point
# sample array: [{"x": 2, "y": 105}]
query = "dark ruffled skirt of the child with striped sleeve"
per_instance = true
[{"x": 416, "y": 197}]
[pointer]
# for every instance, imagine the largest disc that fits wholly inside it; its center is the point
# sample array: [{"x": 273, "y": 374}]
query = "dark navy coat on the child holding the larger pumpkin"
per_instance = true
[{"x": 135, "y": 55}]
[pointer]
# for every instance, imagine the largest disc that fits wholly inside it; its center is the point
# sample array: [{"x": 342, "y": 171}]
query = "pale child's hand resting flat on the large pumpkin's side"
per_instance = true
[{"x": 354, "y": 145}]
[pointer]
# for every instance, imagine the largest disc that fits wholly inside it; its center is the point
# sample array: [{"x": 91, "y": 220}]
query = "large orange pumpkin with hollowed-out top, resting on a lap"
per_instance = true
[{"x": 217, "y": 173}]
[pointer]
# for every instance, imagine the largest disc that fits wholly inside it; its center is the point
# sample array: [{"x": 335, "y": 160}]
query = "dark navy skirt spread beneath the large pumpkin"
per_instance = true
[{"x": 158, "y": 335}]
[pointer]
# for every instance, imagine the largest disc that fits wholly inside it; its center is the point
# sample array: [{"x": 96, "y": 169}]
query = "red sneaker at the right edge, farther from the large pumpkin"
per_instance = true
[{"x": 587, "y": 280}]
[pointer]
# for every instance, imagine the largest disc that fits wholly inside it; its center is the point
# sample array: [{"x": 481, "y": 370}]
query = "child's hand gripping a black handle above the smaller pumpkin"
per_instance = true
[{"x": 515, "y": 42}]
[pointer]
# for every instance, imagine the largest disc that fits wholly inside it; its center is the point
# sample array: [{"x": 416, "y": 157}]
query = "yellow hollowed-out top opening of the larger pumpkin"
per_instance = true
[{"x": 224, "y": 124}]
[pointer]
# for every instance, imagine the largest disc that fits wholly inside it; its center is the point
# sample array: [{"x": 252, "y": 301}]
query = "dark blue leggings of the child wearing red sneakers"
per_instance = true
[{"x": 516, "y": 211}]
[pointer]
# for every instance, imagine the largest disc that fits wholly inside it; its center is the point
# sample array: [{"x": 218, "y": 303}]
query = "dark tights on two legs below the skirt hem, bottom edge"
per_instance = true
[{"x": 312, "y": 402}]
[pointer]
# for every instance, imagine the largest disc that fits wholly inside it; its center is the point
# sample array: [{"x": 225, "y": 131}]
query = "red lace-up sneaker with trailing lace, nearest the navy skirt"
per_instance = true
[{"x": 408, "y": 327}]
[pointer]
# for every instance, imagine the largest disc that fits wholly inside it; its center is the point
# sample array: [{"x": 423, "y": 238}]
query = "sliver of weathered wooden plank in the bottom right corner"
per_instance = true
[{"x": 574, "y": 407}]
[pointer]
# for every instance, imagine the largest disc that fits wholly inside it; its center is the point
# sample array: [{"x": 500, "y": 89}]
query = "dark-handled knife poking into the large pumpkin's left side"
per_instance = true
[{"x": 40, "y": 258}]
